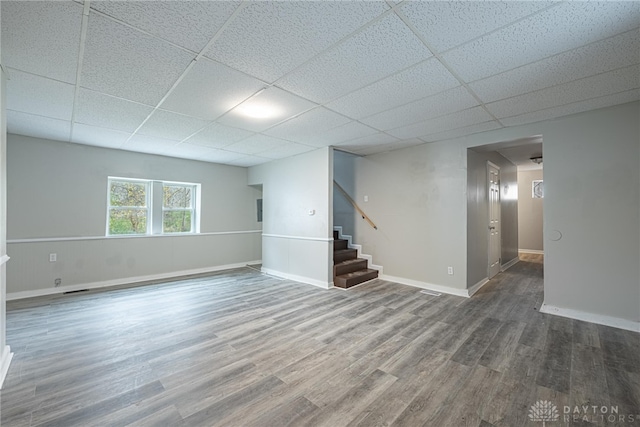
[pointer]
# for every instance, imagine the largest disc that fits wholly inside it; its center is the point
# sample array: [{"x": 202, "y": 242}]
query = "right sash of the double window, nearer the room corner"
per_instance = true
[{"x": 178, "y": 212}]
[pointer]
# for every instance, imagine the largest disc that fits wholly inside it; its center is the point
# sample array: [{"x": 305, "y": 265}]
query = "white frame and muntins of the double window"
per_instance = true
[{"x": 155, "y": 206}]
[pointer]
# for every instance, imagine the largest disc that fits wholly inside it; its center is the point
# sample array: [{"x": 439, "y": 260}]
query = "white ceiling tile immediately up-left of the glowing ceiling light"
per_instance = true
[{"x": 210, "y": 89}]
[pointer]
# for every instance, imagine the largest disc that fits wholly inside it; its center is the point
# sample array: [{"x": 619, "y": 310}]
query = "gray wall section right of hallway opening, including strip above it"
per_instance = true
[{"x": 591, "y": 213}]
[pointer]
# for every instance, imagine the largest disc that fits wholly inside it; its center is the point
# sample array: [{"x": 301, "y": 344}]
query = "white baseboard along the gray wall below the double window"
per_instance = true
[{"x": 125, "y": 281}]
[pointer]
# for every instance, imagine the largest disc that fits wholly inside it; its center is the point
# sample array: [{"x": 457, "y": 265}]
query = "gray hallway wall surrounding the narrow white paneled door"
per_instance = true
[{"x": 478, "y": 213}]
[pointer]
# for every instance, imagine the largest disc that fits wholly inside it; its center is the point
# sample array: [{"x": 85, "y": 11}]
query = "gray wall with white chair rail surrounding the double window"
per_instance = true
[{"x": 57, "y": 201}]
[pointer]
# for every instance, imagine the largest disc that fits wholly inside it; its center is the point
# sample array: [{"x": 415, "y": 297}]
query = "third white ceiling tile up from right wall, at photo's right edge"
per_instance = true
[{"x": 599, "y": 57}]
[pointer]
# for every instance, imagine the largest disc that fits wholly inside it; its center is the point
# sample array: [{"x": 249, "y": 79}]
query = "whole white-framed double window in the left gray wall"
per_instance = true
[{"x": 142, "y": 207}]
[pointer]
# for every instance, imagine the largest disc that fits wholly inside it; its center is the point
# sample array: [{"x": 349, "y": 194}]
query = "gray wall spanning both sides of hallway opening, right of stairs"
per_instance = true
[{"x": 418, "y": 196}]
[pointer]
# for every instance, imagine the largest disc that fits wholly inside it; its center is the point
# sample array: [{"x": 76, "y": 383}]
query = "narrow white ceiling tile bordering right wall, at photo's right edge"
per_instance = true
[{"x": 574, "y": 108}]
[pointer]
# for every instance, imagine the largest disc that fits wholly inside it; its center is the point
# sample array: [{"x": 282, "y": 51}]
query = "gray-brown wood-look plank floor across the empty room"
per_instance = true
[{"x": 242, "y": 349}]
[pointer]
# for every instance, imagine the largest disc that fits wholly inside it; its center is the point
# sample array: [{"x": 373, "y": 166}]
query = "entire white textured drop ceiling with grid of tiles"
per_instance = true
[{"x": 167, "y": 77}]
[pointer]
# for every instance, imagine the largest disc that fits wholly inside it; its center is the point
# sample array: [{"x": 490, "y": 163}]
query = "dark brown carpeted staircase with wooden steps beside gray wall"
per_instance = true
[{"x": 348, "y": 269}]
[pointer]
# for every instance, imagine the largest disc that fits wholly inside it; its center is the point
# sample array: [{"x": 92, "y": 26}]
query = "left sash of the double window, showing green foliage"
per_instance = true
[{"x": 128, "y": 207}]
